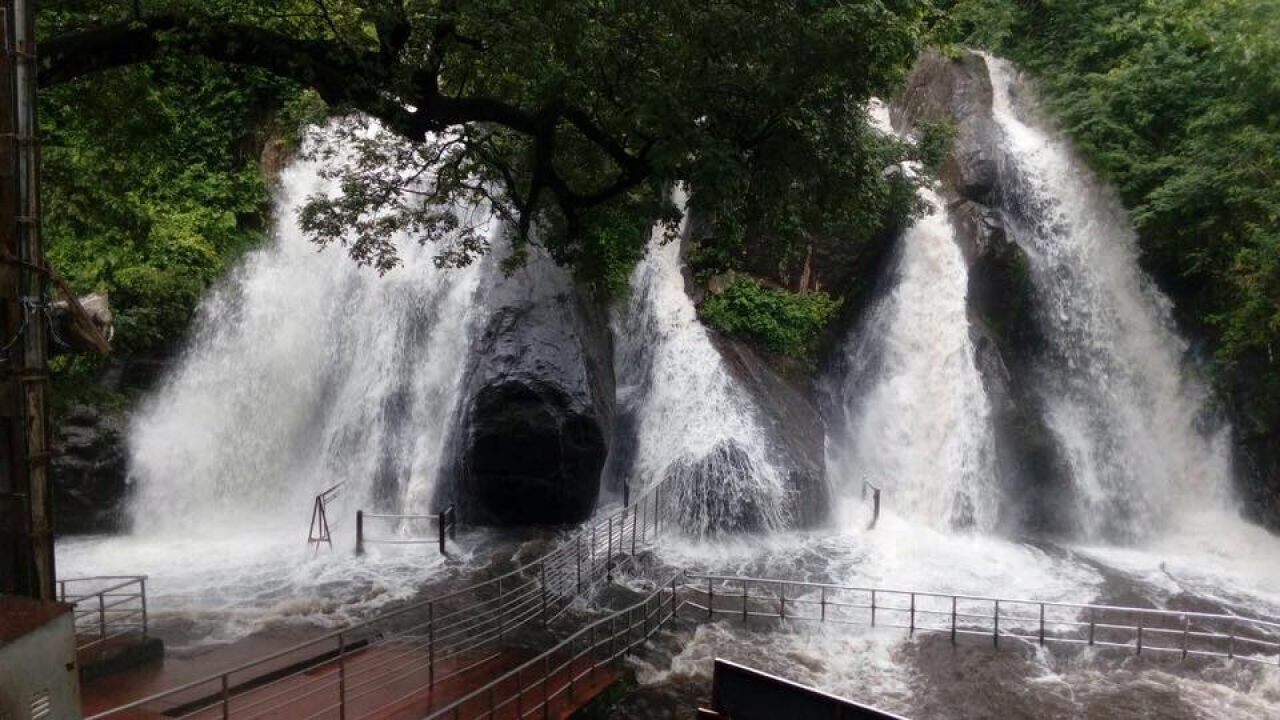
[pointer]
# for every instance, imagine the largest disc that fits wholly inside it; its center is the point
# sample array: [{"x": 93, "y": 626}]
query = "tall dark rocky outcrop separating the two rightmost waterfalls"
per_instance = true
[{"x": 1003, "y": 325}]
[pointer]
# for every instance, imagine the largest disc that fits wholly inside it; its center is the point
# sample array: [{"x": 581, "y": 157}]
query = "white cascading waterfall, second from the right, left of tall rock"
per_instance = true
[{"x": 912, "y": 411}]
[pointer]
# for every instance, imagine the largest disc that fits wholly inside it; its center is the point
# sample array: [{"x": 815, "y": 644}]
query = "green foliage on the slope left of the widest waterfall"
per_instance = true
[{"x": 152, "y": 185}]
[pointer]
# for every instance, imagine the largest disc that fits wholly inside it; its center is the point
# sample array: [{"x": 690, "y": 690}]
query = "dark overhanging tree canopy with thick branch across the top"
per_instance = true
[{"x": 572, "y": 119}]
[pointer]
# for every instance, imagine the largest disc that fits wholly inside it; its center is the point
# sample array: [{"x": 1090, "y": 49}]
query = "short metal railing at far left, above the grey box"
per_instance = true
[{"x": 107, "y": 608}]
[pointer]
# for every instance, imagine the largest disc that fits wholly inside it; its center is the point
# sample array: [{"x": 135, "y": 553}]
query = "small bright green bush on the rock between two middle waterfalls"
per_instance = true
[{"x": 788, "y": 323}]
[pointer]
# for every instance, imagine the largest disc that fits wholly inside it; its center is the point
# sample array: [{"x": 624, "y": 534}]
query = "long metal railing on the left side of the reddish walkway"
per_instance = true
[{"x": 409, "y": 651}]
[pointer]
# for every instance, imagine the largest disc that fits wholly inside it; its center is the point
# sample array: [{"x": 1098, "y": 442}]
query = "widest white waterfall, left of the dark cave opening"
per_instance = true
[{"x": 307, "y": 371}]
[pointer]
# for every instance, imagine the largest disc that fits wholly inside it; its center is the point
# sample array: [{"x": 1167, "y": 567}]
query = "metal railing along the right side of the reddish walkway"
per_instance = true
[{"x": 538, "y": 685}]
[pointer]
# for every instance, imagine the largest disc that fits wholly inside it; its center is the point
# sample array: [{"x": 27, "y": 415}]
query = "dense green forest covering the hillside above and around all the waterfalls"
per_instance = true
[{"x": 162, "y": 130}]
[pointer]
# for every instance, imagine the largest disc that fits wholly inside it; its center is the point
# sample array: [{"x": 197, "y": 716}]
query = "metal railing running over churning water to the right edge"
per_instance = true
[{"x": 1141, "y": 631}]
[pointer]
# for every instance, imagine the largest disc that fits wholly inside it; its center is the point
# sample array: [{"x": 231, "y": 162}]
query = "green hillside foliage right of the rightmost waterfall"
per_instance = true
[{"x": 1176, "y": 103}]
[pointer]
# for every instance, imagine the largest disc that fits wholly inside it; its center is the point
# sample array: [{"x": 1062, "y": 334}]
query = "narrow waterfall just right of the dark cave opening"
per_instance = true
[{"x": 692, "y": 421}]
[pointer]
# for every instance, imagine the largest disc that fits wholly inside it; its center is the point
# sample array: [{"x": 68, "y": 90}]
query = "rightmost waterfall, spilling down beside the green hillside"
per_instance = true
[{"x": 1130, "y": 418}]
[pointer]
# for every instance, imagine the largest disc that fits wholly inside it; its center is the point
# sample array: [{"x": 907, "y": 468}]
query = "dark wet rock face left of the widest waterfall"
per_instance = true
[{"x": 89, "y": 472}]
